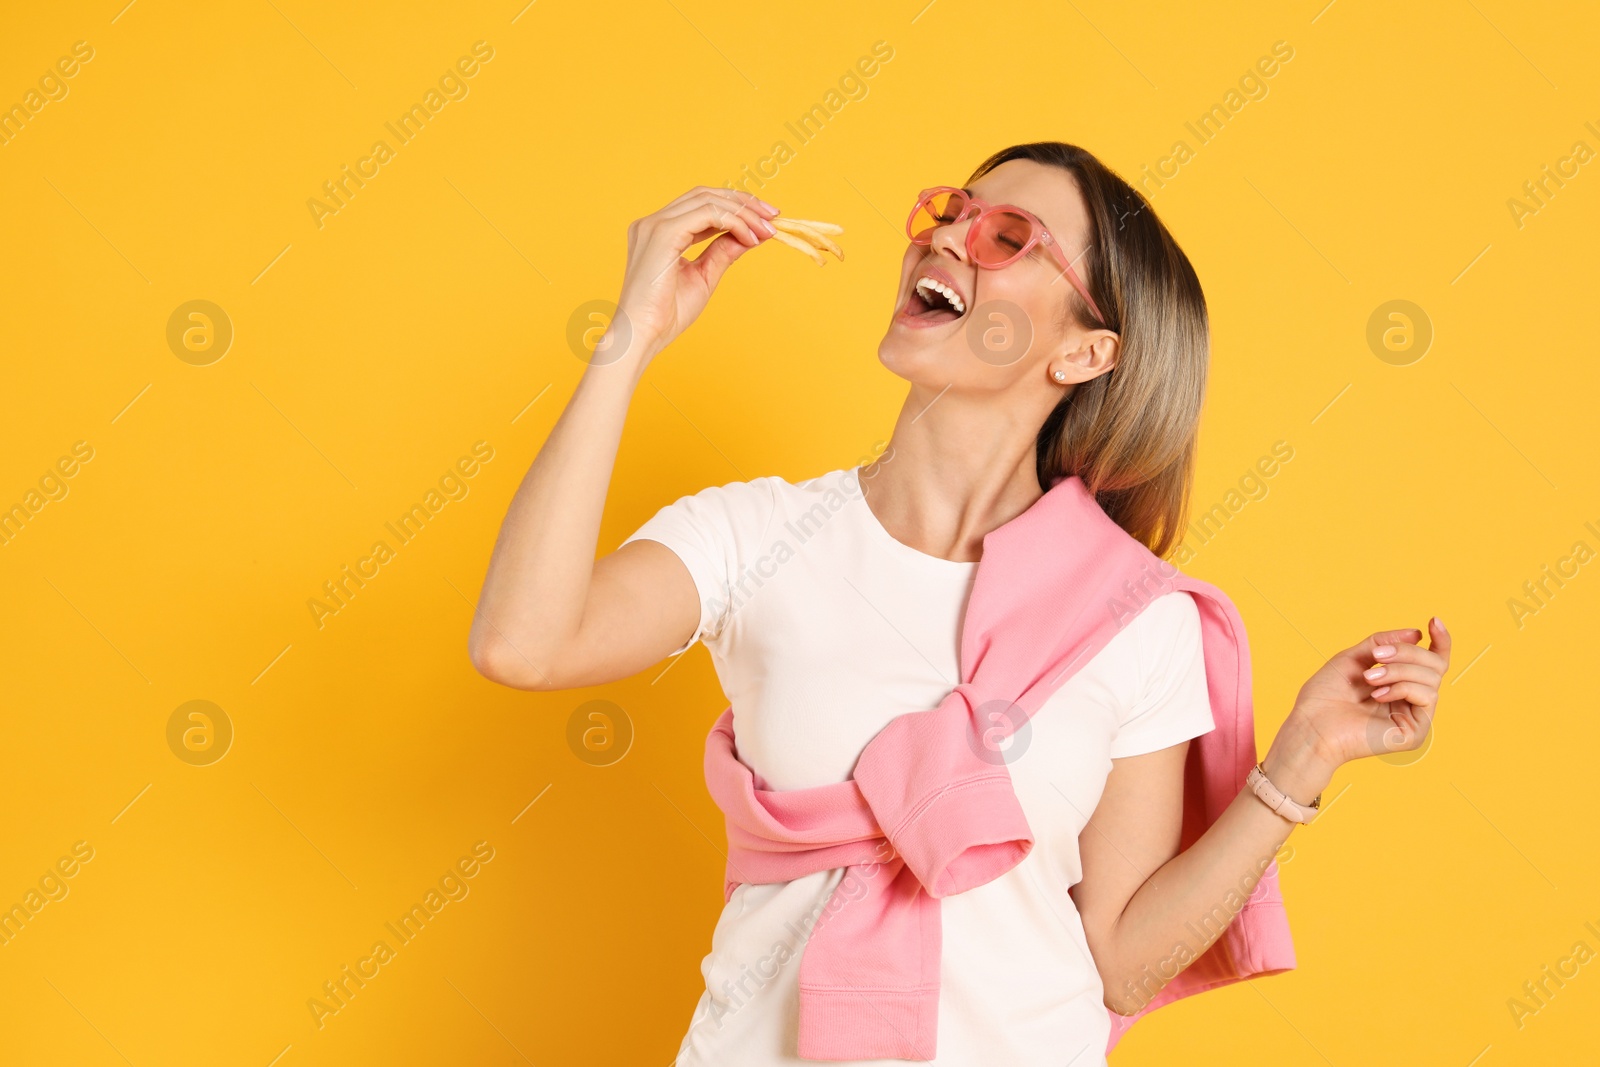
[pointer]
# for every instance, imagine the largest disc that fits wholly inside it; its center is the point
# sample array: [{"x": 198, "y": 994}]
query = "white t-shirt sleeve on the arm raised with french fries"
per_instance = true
[{"x": 713, "y": 532}]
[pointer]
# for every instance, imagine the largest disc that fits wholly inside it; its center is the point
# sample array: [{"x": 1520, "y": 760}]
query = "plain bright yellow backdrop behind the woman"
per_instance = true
[{"x": 372, "y": 353}]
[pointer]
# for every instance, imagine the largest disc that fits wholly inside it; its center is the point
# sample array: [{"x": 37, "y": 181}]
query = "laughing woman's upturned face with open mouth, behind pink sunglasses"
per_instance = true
[{"x": 1015, "y": 330}]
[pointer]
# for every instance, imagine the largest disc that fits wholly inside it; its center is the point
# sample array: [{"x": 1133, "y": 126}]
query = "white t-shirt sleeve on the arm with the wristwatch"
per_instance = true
[{"x": 1175, "y": 703}]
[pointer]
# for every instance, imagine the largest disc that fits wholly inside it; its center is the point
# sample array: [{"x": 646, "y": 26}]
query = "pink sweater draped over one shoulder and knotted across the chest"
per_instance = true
[{"x": 930, "y": 810}]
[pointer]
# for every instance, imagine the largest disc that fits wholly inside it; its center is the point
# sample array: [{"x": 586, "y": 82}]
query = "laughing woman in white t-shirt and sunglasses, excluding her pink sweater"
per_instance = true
[{"x": 834, "y": 605}]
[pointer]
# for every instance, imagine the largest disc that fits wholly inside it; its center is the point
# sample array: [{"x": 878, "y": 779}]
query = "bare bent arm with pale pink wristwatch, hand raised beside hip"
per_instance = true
[{"x": 1148, "y": 909}]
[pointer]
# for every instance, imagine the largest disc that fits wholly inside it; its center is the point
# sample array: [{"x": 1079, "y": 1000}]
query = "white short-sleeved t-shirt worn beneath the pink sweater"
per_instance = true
[{"x": 825, "y": 628}]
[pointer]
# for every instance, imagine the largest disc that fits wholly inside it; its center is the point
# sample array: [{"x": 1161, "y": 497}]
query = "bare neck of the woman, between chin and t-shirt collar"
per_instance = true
[{"x": 954, "y": 470}]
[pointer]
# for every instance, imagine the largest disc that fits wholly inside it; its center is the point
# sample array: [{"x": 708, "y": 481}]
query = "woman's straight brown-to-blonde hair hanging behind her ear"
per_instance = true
[{"x": 1130, "y": 434}]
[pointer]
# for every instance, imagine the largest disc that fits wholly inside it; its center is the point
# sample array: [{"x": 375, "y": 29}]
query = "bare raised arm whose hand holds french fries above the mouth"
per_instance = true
[{"x": 551, "y": 617}]
